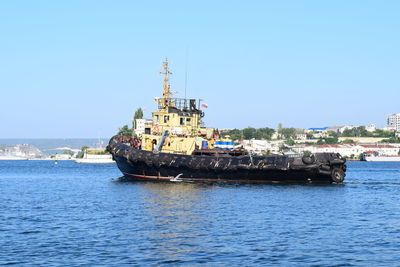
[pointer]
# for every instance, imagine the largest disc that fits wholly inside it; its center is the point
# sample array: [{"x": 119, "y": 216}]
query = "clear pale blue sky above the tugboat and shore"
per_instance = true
[{"x": 81, "y": 68}]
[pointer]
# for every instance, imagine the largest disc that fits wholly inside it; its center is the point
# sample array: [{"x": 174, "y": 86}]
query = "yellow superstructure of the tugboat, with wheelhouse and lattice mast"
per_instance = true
[{"x": 177, "y": 118}]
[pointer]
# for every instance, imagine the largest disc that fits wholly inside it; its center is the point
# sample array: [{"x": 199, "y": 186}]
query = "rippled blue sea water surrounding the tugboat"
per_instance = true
[{"x": 70, "y": 214}]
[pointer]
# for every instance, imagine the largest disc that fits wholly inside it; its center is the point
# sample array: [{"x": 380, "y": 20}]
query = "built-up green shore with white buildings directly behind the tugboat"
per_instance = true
[{"x": 348, "y": 140}]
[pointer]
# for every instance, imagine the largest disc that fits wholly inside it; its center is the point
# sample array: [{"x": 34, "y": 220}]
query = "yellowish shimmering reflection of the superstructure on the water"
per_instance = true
[{"x": 176, "y": 210}]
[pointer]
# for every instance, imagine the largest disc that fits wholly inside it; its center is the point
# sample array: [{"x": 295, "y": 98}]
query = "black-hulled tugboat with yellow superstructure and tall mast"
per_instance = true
[{"x": 177, "y": 148}]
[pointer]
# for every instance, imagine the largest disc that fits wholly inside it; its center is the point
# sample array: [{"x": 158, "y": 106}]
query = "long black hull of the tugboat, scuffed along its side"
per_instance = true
[{"x": 144, "y": 165}]
